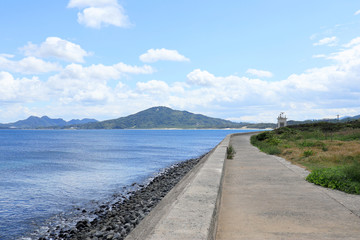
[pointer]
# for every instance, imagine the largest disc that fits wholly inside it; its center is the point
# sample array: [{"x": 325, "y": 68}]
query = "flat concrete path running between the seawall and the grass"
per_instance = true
[{"x": 265, "y": 198}]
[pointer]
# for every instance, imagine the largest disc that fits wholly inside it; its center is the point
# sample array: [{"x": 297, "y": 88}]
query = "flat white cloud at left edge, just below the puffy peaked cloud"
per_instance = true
[{"x": 28, "y": 65}]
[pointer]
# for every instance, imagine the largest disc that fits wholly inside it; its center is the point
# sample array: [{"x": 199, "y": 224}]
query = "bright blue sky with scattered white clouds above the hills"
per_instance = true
[{"x": 244, "y": 61}]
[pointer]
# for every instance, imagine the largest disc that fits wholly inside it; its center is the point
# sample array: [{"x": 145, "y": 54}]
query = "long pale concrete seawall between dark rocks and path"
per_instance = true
[{"x": 189, "y": 210}]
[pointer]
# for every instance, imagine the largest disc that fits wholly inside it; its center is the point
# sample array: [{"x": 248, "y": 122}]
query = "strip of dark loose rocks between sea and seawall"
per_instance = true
[{"x": 116, "y": 220}]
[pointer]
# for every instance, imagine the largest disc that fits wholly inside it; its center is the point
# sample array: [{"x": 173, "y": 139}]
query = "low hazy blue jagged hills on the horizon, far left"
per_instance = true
[{"x": 33, "y": 122}]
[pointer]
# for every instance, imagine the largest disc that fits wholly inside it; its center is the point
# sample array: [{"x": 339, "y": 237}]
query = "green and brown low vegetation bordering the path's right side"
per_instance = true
[{"x": 331, "y": 151}]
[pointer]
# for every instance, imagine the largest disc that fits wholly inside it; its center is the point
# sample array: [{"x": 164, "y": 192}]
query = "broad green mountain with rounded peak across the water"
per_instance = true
[{"x": 162, "y": 117}]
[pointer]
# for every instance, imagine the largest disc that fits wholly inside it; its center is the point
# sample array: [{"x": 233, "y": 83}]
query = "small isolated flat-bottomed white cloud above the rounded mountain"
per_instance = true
[{"x": 154, "y": 55}]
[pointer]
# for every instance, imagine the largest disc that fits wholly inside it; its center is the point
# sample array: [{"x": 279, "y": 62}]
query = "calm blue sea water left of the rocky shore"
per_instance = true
[{"x": 46, "y": 172}]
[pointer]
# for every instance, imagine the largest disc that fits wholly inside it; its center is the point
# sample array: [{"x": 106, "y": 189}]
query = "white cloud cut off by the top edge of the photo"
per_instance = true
[{"x": 99, "y": 13}]
